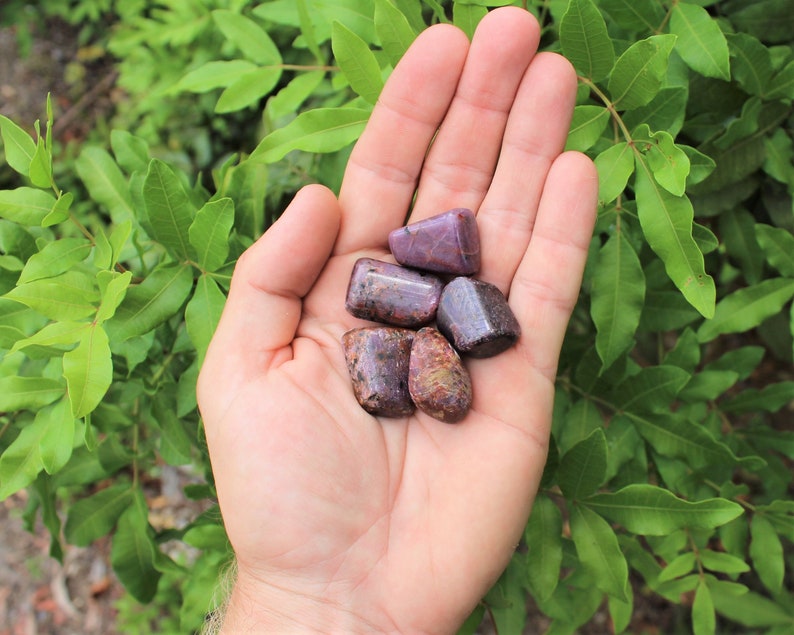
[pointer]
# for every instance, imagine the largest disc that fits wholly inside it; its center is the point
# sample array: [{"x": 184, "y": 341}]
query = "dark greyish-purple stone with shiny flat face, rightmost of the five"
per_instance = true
[{"x": 475, "y": 317}]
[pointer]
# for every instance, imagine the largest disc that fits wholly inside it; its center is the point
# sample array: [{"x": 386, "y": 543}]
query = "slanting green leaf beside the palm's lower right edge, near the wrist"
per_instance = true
[{"x": 599, "y": 551}]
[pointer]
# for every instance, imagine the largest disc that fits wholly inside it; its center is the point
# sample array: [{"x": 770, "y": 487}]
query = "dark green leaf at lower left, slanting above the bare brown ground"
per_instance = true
[{"x": 94, "y": 516}]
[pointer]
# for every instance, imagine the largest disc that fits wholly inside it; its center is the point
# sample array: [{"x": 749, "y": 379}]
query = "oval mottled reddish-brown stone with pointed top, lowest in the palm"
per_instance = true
[{"x": 437, "y": 379}]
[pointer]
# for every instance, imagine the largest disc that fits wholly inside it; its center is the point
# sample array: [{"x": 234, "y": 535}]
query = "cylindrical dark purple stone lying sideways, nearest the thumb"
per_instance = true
[{"x": 385, "y": 292}]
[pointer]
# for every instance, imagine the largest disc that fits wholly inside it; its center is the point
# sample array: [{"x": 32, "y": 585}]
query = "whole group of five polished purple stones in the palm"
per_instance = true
[{"x": 395, "y": 369}]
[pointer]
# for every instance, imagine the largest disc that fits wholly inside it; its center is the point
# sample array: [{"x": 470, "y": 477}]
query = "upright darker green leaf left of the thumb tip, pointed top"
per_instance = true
[{"x": 168, "y": 208}]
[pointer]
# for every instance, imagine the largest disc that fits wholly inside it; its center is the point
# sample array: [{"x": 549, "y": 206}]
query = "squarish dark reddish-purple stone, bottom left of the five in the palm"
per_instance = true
[{"x": 378, "y": 361}]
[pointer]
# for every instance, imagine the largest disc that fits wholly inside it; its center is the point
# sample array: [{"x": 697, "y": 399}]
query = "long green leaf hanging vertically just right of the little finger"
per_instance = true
[{"x": 617, "y": 297}]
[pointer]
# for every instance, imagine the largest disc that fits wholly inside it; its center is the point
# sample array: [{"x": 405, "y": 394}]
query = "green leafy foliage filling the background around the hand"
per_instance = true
[{"x": 669, "y": 467}]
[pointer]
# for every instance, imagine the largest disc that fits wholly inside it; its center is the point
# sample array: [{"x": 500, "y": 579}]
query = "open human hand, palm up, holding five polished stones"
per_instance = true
[{"x": 342, "y": 522}]
